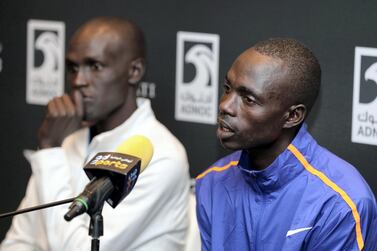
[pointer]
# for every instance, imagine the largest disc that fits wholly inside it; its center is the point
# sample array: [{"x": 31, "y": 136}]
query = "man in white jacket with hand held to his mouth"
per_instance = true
[{"x": 105, "y": 63}]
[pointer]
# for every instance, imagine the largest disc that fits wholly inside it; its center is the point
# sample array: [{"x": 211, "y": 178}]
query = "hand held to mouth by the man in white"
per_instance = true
[{"x": 63, "y": 117}]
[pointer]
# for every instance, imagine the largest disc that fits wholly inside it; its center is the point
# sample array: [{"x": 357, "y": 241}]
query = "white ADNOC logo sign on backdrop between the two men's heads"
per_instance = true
[{"x": 197, "y": 77}]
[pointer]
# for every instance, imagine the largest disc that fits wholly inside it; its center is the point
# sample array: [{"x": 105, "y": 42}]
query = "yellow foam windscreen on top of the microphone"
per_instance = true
[{"x": 138, "y": 146}]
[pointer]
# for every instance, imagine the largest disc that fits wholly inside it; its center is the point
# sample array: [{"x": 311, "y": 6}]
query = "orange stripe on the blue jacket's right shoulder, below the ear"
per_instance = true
[{"x": 332, "y": 185}]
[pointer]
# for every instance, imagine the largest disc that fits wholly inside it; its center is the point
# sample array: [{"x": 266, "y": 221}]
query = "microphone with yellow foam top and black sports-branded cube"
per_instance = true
[{"x": 113, "y": 175}]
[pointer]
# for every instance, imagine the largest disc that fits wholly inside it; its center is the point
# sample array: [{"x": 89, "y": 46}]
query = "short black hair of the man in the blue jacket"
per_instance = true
[{"x": 304, "y": 71}]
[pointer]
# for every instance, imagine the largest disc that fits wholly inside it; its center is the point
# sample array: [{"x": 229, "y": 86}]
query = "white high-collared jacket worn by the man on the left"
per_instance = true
[{"x": 154, "y": 216}]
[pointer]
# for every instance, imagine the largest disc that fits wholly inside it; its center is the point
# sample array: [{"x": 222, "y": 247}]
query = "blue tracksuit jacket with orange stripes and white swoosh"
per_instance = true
[{"x": 307, "y": 199}]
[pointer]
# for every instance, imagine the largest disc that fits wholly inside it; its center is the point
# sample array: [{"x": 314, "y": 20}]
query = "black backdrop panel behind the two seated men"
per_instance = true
[{"x": 331, "y": 29}]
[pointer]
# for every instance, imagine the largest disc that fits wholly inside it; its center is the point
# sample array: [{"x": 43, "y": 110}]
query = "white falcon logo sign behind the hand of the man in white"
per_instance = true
[{"x": 45, "y": 61}]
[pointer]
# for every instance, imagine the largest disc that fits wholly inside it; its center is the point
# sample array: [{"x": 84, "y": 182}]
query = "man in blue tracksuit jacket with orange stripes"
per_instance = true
[{"x": 279, "y": 190}]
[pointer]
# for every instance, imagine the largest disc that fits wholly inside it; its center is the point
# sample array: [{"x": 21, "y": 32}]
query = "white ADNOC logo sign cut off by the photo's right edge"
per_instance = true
[{"x": 364, "y": 112}]
